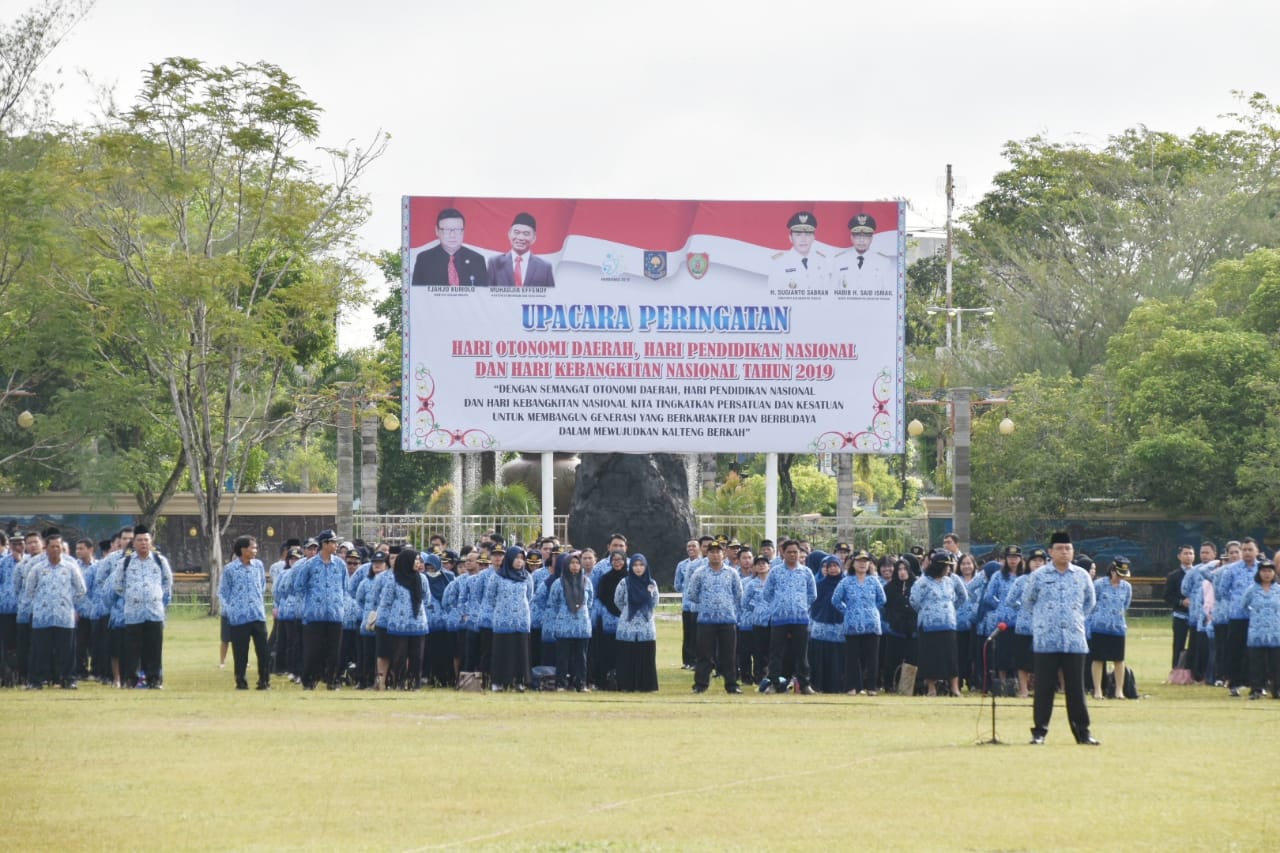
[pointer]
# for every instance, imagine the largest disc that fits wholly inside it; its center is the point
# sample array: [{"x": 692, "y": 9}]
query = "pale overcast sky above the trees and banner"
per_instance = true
[{"x": 693, "y": 99}]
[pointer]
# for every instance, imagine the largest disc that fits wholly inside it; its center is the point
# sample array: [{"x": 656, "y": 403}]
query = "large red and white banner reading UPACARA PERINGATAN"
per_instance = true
[{"x": 623, "y": 326}]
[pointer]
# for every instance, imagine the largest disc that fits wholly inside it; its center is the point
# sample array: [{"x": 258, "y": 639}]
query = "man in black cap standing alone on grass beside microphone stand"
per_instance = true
[{"x": 1062, "y": 597}]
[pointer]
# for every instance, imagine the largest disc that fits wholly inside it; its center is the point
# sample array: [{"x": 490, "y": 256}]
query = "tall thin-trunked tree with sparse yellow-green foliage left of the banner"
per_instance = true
[{"x": 221, "y": 259}]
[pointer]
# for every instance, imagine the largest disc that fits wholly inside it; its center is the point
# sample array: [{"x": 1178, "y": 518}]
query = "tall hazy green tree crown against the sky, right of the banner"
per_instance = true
[{"x": 1072, "y": 239}]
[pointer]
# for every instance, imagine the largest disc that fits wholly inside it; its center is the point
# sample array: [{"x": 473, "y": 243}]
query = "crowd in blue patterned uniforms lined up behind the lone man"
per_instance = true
[{"x": 504, "y": 617}]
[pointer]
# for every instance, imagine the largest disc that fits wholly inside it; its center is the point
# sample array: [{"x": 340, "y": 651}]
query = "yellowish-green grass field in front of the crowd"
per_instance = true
[{"x": 202, "y": 767}]
